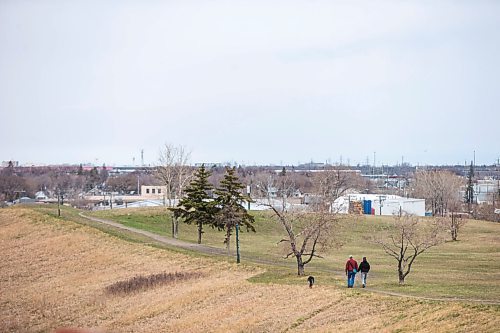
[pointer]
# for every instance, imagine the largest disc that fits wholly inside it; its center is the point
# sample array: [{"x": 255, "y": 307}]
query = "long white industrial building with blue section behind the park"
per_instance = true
[{"x": 381, "y": 204}]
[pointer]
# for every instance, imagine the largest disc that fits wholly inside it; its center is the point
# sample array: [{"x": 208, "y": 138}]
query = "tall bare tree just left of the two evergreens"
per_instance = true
[{"x": 174, "y": 172}]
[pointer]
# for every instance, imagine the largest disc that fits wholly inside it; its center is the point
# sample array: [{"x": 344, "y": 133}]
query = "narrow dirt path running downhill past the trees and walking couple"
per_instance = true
[{"x": 217, "y": 251}]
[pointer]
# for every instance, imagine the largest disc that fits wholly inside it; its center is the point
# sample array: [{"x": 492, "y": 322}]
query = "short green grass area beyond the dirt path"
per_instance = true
[{"x": 466, "y": 269}]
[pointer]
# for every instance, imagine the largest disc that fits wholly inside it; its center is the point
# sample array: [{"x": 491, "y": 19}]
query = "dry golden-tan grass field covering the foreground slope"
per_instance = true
[{"x": 54, "y": 273}]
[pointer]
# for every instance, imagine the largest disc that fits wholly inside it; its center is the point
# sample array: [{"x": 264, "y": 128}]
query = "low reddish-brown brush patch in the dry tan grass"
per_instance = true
[{"x": 141, "y": 282}]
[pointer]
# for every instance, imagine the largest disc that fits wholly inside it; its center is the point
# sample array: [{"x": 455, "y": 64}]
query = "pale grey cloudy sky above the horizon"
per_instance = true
[{"x": 250, "y": 81}]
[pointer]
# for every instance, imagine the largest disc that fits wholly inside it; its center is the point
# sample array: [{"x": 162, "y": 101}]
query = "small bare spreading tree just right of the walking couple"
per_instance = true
[{"x": 407, "y": 240}]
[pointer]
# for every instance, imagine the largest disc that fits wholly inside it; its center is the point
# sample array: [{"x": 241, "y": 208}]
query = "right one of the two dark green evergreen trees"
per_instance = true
[{"x": 230, "y": 202}]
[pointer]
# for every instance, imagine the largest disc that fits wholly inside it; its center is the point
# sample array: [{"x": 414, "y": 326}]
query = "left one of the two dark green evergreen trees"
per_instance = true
[{"x": 197, "y": 206}]
